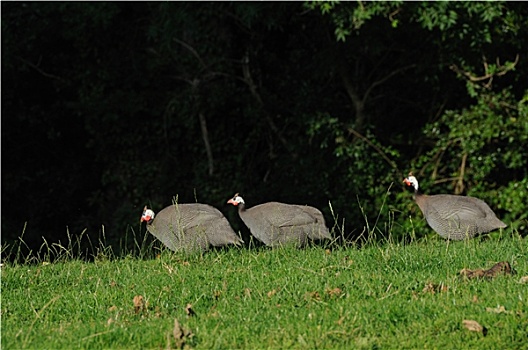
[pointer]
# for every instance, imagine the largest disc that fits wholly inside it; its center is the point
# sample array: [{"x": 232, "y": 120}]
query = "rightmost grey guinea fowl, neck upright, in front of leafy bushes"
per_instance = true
[{"x": 455, "y": 217}]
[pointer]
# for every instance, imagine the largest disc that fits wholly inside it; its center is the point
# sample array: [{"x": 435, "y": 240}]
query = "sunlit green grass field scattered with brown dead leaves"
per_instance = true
[{"x": 384, "y": 295}]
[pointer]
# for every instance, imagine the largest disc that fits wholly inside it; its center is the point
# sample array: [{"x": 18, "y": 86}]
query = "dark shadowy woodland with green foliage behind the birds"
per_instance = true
[{"x": 107, "y": 107}]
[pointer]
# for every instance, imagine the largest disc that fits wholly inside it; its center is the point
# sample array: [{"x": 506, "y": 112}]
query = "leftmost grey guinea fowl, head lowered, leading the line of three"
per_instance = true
[{"x": 190, "y": 227}]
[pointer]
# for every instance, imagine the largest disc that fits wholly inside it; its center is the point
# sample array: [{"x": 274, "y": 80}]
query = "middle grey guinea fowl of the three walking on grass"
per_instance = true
[{"x": 276, "y": 224}]
